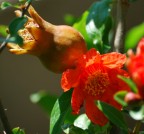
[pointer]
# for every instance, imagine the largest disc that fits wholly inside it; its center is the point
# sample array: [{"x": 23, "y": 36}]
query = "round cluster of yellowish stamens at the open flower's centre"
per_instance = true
[{"x": 97, "y": 83}]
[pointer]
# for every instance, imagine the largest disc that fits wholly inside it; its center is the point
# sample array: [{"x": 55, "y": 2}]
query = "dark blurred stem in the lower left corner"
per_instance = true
[{"x": 4, "y": 120}]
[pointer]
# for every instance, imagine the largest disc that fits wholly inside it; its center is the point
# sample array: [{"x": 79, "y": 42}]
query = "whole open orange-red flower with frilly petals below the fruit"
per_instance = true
[{"x": 95, "y": 78}]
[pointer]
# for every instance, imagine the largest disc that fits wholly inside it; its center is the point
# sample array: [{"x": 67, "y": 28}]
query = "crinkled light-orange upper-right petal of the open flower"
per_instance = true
[{"x": 113, "y": 60}]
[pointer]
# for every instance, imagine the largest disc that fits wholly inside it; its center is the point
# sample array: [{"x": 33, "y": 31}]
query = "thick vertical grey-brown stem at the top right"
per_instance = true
[{"x": 122, "y": 6}]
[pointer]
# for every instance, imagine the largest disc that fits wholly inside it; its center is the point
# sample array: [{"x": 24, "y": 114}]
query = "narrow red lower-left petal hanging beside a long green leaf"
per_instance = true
[{"x": 77, "y": 100}]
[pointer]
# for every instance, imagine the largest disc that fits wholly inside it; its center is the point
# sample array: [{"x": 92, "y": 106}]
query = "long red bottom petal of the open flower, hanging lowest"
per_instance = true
[{"x": 94, "y": 114}]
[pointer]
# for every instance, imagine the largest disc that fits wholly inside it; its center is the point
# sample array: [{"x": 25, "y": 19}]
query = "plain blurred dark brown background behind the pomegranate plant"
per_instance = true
[{"x": 20, "y": 76}]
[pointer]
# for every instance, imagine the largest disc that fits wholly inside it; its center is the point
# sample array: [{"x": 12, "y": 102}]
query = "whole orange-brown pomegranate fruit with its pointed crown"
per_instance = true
[{"x": 57, "y": 47}]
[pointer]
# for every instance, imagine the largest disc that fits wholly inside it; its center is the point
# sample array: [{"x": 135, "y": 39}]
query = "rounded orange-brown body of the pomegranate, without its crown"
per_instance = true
[{"x": 66, "y": 47}]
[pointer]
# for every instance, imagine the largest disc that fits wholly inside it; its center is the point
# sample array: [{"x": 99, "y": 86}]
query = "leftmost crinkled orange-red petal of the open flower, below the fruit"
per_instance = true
[{"x": 69, "y": 79}]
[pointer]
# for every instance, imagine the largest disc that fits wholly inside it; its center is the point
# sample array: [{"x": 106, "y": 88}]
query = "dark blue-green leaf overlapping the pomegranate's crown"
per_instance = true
[{"x": 17, "y": 24}]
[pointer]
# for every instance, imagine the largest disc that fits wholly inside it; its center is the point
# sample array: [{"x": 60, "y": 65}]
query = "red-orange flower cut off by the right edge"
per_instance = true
[{"x": 135, "y": 65}]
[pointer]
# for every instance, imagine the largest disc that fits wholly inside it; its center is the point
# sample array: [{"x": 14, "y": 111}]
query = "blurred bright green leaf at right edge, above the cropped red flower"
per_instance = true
[{"x": 133, "y": 37}]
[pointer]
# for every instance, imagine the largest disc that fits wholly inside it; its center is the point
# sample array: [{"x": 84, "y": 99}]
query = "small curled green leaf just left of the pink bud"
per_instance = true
[{"x": 119, "y": 97}]
